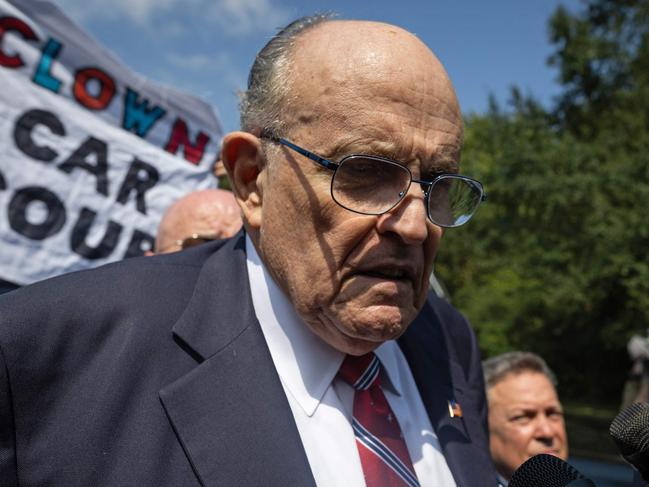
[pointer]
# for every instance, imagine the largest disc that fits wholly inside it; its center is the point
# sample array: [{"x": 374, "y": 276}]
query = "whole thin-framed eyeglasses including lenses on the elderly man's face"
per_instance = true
[{"x": 372, "y": 185}]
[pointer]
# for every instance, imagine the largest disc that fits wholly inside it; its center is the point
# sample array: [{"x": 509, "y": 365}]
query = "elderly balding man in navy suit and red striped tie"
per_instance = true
[{"x": 303, "y": 351}]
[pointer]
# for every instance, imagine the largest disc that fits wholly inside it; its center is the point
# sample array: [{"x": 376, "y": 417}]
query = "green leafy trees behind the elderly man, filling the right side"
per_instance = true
[{"x": 556, "y": 260}]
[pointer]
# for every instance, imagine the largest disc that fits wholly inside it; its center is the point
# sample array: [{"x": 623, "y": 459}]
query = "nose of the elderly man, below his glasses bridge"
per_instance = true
[{"x": 408, "y": 219}]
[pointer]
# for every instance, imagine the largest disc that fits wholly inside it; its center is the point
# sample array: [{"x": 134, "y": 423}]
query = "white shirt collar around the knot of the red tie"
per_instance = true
[{"x": 306, "y": 365}]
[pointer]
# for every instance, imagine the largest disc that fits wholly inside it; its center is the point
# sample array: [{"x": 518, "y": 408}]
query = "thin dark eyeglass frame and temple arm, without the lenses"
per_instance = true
[{"x": 333, "y": 166}]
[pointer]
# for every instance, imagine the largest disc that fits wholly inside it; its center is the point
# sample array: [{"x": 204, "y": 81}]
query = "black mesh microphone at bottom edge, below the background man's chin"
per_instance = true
[{"x": 548, "y": 471}]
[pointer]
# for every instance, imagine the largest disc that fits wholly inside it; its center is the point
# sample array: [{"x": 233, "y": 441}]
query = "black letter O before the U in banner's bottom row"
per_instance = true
[{"x": 18, "y": 213}]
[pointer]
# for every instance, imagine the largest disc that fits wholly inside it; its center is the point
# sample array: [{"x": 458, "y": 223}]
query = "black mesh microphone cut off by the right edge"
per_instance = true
[{"x": 630, "y": 431}]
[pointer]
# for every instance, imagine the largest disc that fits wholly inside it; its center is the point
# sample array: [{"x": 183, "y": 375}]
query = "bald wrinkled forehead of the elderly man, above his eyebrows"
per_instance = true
[{"x": 340, "y": 70}]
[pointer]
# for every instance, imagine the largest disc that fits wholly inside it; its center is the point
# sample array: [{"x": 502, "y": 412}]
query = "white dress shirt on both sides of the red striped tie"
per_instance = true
[{"x": 322, "y": 403}]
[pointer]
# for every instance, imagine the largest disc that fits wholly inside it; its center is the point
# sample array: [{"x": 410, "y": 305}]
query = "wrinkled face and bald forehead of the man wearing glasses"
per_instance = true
[{"x": 357, "y": 280}]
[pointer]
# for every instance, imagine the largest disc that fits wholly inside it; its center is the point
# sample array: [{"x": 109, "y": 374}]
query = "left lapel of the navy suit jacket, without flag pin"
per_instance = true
[{"x": 230, "y": 412}]
